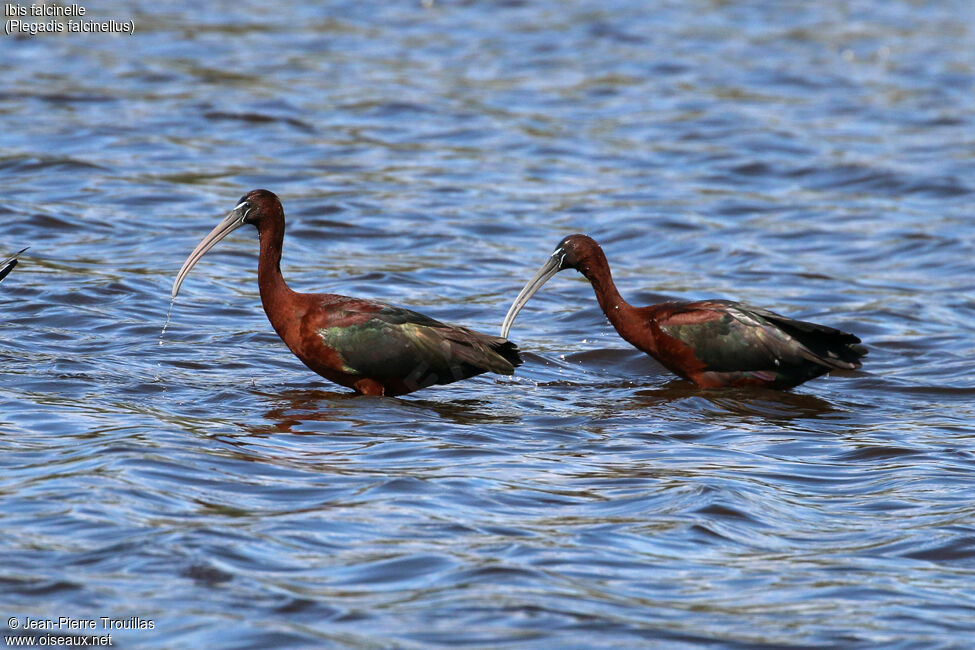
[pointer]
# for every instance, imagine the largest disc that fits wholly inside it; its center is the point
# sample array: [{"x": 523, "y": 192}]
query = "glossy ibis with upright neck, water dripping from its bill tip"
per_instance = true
[{"x": 366, "y": 345}]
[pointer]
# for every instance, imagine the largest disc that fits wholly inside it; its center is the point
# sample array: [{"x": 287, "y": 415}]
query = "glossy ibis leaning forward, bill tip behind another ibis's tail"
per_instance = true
[{"x": 712, "y": 343}]
